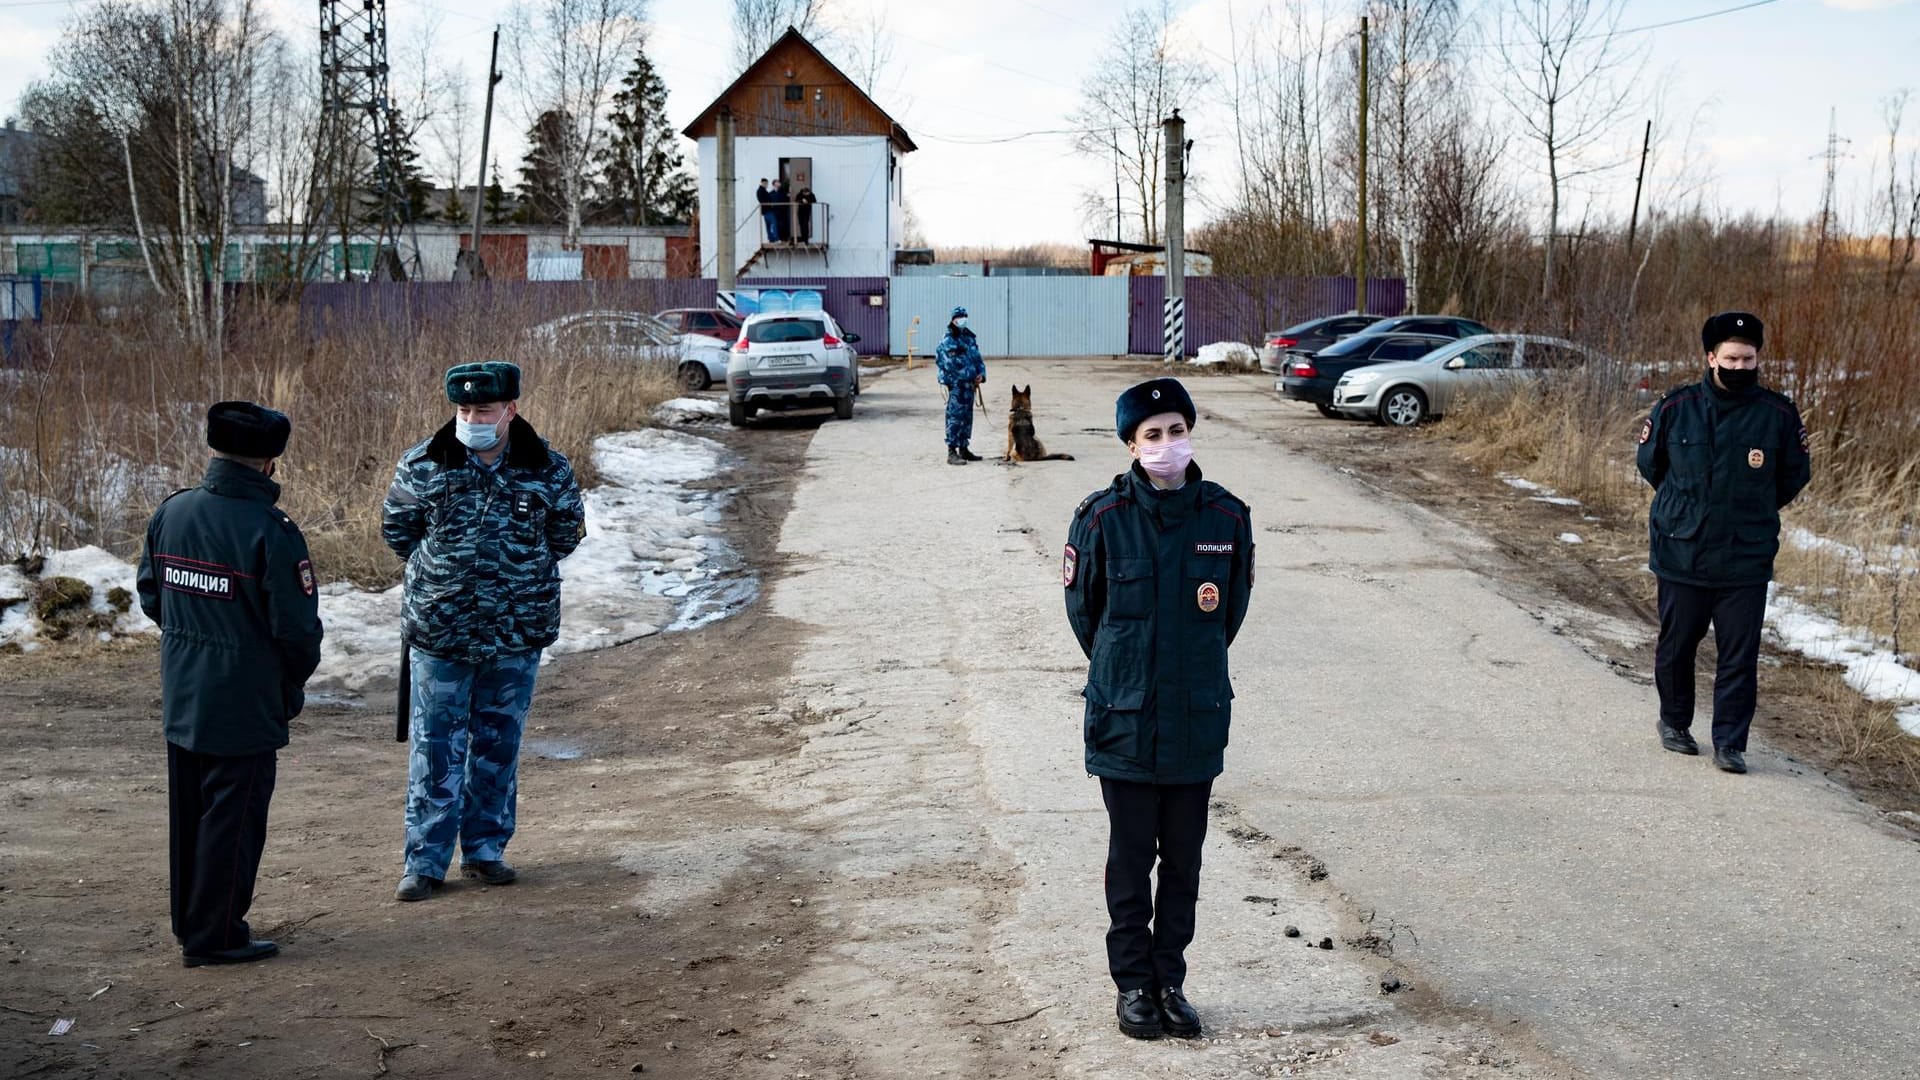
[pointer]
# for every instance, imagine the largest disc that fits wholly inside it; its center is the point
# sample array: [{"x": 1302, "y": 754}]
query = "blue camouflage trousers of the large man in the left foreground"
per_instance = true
[{"x": 464, "y": 773}]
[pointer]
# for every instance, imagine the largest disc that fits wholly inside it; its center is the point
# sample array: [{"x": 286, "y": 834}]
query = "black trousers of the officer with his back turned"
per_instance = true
[{"x": 216, "y": 831}]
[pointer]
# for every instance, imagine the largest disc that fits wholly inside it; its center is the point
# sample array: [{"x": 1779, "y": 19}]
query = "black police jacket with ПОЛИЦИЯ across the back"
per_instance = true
[{"x": 229, "y": 581}]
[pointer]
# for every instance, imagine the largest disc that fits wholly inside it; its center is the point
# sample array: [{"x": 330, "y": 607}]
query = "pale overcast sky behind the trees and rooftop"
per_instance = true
[{"x": 1760, "y": 82}]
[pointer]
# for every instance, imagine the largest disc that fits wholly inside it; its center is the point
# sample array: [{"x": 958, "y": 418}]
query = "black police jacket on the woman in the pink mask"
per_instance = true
[{"x": 1157, "y": 589}]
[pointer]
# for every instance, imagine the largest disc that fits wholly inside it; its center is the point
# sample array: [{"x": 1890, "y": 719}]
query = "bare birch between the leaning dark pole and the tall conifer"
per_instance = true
[{"x": 567, "y": 59}]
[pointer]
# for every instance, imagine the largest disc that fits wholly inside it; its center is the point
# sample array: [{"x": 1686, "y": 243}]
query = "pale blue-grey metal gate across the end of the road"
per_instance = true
[{"x": 1013, "y": 316}]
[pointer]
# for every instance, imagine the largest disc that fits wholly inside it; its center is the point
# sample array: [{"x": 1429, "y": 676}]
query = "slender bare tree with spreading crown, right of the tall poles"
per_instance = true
[{"x": 1570, "y": 78}]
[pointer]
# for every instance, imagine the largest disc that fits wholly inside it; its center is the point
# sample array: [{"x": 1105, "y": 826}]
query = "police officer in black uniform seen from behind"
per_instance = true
[{"x": 229, "y": 581}]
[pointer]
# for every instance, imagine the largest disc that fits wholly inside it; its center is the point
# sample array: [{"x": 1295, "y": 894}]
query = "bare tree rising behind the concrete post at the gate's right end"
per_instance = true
[{"x": 1143, "y": 76}]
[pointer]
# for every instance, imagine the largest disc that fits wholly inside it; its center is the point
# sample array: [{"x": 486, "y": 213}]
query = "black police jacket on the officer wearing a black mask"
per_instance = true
[{"x": 1721, "y": 468}]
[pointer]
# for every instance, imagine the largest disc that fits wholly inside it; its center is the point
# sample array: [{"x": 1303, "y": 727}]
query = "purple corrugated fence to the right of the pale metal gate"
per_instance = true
[{"x": 1245, "y": 308}]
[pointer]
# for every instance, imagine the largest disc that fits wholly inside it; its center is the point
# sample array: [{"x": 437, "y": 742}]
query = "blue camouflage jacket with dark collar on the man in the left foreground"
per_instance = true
[{"x": 483, "y": 545}]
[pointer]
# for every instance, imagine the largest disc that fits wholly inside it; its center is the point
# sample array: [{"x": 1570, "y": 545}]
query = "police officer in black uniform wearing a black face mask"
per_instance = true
[{"x": 1723, "y": 456}]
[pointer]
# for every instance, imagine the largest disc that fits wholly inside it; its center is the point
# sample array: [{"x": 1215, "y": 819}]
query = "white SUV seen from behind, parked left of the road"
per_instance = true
[{"x": 792, "y": 360}]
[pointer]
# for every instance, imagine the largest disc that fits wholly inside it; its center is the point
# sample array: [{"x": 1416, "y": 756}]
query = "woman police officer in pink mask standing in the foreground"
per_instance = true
[{"x": 1159, "y": 570}]
